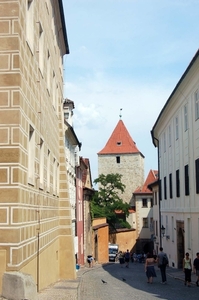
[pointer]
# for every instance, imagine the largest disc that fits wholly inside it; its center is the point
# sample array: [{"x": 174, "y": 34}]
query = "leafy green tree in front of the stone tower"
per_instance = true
[{"x": 106, "y": 201}]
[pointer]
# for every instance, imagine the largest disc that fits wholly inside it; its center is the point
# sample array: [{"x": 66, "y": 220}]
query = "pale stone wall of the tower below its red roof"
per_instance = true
[{"x": 131, "y": 167}]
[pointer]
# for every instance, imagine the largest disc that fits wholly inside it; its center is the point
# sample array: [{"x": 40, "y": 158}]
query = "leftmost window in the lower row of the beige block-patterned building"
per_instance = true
[{"x": 31, "y": 155}]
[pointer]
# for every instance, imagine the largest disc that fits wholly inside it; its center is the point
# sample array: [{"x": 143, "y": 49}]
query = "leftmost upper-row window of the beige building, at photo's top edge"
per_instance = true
[{"x": 30, "y": 23}]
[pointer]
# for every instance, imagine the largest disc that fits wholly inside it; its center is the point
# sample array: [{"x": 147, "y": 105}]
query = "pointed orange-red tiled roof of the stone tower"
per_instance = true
[{"x": 120, "y": 142}]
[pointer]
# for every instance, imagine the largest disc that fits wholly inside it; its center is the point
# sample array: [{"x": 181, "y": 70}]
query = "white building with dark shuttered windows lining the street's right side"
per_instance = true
[{"x": 176, "y": 134}]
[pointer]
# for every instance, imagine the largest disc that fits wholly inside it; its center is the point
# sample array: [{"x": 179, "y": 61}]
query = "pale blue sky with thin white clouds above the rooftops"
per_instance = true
[{"x": 129, "y": 55}]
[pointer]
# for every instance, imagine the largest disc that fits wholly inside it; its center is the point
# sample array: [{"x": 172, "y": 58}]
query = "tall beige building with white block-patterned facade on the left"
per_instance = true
[{"x": 35, "y": 223}]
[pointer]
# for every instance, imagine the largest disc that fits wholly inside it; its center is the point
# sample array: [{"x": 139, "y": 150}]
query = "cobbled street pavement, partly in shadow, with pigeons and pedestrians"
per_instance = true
[{"x": 124, "y": 283}]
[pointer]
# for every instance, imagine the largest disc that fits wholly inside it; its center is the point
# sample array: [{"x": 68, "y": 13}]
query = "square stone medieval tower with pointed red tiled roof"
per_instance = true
[{"x": 121, "y": 155}]
